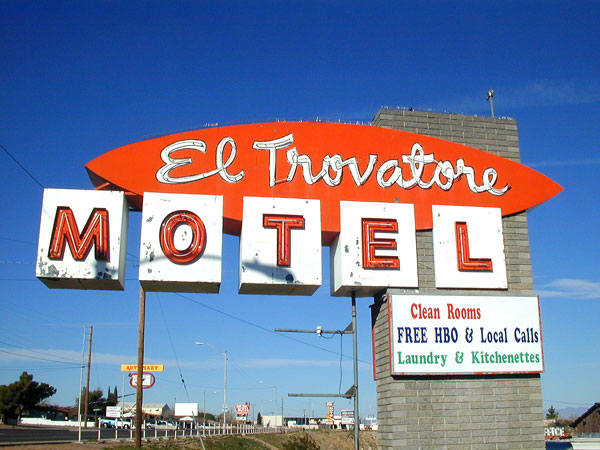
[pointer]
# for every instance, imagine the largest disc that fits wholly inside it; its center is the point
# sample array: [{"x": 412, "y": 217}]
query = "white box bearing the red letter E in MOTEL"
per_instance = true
[{"x": 376, "y": 248}]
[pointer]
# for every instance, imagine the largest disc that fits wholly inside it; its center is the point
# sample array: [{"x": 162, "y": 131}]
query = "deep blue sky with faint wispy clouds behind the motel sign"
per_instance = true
[{"x": 80, "y": 78}]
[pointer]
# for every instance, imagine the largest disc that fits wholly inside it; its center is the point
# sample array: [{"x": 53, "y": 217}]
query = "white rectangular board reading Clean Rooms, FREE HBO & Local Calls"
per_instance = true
[{"x": 464, "y": 335}]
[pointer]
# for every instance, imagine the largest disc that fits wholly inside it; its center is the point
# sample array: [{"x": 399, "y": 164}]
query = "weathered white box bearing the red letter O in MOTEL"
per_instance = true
[{"x": 181, "y": 243}]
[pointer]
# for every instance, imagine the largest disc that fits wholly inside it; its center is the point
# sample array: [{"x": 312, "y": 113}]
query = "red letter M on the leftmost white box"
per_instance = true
[{"x": 94, "y": 233}]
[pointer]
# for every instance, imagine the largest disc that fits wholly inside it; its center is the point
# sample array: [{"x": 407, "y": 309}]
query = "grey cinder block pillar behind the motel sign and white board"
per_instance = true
[{"x": 459, "y": 412}]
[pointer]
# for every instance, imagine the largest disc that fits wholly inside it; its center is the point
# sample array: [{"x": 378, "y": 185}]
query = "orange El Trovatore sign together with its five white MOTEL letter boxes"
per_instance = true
[{"x": 287, "y": 189}]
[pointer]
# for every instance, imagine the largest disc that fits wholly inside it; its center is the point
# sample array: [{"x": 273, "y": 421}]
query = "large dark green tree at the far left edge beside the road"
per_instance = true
[{"x": 21, "y": 395}]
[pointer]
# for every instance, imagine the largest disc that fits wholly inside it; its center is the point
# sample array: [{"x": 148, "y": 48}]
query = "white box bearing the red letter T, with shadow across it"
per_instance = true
[{"x": 280, "y": 246}]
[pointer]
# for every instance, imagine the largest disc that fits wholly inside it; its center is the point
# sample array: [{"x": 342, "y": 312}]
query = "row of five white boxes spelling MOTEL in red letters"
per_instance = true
[{"x": 280, "y": 244}]
